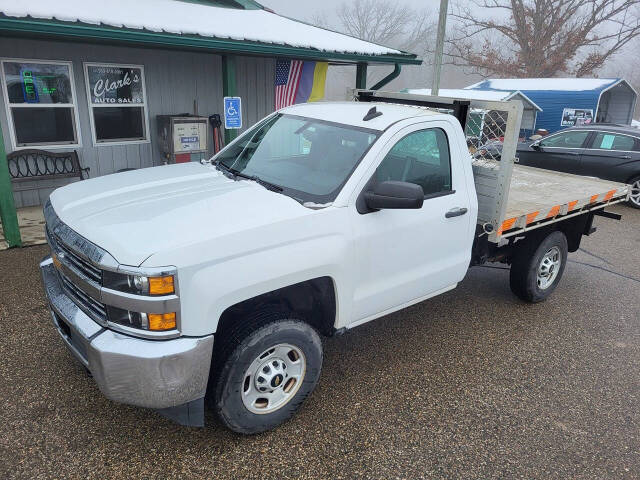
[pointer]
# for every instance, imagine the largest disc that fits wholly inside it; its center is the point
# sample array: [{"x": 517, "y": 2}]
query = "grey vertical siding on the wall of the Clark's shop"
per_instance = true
[{"x": 176, "y": 82}]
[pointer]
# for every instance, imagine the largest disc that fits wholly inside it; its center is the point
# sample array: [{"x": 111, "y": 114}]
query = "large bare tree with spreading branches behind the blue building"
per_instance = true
[{"x": 540, "y": 38}]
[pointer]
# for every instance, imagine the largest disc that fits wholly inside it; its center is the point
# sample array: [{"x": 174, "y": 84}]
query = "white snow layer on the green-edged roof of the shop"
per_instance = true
[{"x": 186, "y": 18}]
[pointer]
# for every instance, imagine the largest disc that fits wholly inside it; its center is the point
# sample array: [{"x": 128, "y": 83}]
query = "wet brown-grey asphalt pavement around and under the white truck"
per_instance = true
[{"x": 471, "y": 384}]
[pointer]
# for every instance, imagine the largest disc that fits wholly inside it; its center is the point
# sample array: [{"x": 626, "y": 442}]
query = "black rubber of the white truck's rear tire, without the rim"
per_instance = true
[{"x": 523, "y": 277}]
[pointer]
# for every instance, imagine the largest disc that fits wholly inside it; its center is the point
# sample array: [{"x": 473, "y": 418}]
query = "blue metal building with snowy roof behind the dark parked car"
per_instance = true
[{"x": 567, "y": 102}]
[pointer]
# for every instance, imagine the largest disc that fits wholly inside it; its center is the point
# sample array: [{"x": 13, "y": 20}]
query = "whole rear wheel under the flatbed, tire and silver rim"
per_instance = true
[{"x": 529, "y": 279}]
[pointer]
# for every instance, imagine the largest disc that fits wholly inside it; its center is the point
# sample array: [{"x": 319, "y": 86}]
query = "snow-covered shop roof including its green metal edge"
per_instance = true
[{"x": 190, "y": 25}]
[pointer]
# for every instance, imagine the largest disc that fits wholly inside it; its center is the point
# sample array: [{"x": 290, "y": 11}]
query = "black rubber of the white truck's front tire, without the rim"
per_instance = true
[{"x": 240, "y": 348}]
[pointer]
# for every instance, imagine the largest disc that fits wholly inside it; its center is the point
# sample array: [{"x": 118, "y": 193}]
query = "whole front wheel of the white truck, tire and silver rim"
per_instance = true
[{"x": 294, "y": 366}]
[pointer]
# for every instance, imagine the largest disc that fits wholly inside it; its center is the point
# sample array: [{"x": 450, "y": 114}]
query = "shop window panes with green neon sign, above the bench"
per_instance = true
[{"x": 41, "y": 103}]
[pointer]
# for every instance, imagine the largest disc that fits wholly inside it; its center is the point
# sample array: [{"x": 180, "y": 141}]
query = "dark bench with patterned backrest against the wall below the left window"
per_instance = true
[{"x": 33, "y": 164}]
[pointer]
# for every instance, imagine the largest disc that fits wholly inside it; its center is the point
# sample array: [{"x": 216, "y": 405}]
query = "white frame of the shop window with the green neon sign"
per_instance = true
[{"x": 8, "y": 106}]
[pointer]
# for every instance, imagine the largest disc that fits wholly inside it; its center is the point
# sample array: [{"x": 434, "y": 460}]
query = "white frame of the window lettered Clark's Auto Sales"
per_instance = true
[{"x": 91, "y": 106}]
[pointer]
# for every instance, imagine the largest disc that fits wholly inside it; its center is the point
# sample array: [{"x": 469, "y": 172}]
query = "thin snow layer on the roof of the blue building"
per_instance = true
[{"x": 556, "y": 84}]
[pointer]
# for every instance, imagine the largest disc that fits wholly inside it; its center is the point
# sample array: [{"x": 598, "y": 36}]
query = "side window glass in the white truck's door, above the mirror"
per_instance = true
[{"x": 422, "y": 158}]
